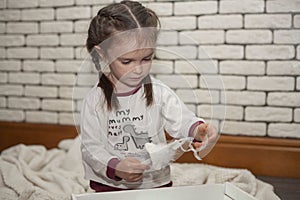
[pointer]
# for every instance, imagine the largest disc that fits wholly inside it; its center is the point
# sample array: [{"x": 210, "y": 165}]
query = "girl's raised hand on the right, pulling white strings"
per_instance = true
[{"x": 207, "y": 136}]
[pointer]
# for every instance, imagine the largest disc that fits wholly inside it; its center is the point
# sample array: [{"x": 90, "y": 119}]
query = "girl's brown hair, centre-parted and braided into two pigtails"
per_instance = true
[{"x": 118, "y": 17}]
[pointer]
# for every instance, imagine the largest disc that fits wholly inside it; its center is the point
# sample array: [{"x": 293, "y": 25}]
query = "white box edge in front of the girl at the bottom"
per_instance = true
[{"x": 225, "y": 191}]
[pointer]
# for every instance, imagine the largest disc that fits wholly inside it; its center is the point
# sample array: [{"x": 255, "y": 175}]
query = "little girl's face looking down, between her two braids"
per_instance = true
[{"x": 128, "y": 70}]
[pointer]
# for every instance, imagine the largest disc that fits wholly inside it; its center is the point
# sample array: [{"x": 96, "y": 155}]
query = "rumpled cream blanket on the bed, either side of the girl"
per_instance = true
[{"x": 34, "y": 173}]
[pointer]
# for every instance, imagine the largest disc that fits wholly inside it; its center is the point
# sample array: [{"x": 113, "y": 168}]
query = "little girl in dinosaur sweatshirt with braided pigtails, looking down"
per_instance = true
[{"x": 128, "y": 108}]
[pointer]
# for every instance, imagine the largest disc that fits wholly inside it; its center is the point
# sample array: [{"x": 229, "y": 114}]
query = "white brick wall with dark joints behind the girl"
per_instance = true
[{"x": 247, "y": 52}]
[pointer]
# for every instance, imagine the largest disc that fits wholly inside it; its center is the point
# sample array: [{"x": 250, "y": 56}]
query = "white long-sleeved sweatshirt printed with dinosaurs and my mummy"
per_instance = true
[{"x": 122, "y": 133}]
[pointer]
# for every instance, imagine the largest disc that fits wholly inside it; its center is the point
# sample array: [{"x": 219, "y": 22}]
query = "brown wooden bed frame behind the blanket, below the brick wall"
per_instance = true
[{"x": 261, "y": 155}]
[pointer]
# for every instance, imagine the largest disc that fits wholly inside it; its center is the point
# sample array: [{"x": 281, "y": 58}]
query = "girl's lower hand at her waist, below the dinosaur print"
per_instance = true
[{"x": 130, "y": 169}]
